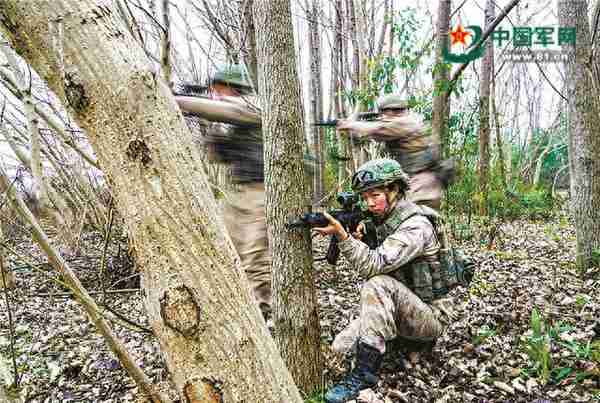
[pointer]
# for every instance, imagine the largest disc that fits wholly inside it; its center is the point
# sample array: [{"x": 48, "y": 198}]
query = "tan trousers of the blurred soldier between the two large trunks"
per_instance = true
[{"x": 245, "y": 220}]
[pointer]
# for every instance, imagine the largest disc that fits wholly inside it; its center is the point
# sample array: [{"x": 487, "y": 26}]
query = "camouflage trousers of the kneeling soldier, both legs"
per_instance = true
[{"x": 389, "y": 309}]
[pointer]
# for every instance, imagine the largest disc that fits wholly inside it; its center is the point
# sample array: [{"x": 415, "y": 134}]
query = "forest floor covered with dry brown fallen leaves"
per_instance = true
[{"x": 500, "y": 350}]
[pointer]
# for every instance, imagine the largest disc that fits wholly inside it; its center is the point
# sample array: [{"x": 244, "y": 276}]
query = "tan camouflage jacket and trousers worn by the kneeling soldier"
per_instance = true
[{"x": 388, "y": 307}]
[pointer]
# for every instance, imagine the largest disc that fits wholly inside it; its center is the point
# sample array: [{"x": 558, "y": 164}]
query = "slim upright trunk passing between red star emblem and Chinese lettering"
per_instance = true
[{"x": 484, "y": 114}]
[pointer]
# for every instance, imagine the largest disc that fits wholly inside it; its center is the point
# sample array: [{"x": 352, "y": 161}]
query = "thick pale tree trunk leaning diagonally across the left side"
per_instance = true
[{"x": 214, "y": 339}]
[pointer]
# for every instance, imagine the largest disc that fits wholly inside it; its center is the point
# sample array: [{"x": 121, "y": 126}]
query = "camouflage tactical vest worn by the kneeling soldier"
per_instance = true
[{"x": 426, "y": 276}]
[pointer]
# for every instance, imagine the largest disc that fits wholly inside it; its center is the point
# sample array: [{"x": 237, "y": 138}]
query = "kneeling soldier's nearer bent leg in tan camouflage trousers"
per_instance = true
[{"x": 389, "y": 309}]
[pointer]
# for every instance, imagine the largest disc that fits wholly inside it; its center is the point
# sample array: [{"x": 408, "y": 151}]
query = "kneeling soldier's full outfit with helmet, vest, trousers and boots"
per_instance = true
[{"x": 403, "y": 274}]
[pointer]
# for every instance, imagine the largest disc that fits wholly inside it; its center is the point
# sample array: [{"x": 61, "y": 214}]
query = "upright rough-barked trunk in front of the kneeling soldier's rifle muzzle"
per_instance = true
[{"x": 294, "y": 298}]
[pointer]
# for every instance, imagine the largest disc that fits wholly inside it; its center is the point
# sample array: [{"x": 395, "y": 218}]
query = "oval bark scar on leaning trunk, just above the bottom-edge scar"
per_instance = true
[{"x": 179, "y": 310}]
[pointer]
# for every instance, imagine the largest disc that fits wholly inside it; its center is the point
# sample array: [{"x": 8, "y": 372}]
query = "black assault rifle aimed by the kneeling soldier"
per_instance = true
[{"x": 350, "y": 215}]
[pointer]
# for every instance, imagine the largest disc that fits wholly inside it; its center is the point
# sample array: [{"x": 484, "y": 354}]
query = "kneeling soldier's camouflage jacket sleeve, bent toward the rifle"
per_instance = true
[{"x": 414, "y": 238}]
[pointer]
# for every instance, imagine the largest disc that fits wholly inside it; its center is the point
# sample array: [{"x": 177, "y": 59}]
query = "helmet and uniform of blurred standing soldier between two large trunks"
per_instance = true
[{"x": 239, "y": 142}]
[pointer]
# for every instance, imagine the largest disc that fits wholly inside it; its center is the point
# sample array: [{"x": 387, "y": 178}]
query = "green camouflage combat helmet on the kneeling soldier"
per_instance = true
[{"x": 377, "y": 173}]
